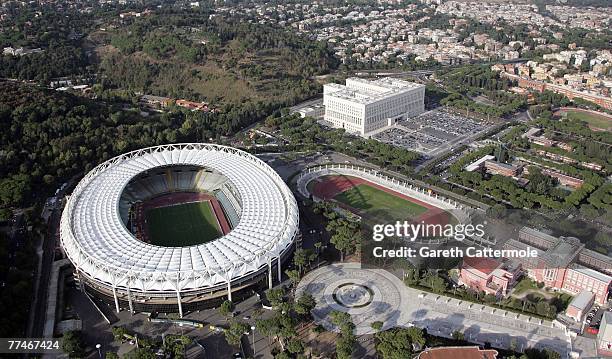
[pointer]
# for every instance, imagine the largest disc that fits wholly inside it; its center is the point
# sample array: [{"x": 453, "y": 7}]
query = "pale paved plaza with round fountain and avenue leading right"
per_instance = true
[{"x": 371, "y": 295}]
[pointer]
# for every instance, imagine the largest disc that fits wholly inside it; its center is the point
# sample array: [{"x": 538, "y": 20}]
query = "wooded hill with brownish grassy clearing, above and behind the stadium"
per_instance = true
[{"x": 216, "y": 60}]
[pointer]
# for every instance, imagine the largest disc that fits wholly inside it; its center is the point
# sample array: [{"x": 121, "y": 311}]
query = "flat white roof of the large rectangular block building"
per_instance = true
[{"x": 365, "y": 91}]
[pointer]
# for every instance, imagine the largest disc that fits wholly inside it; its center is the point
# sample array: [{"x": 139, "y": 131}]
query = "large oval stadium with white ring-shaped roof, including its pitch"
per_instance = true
[{"x": 177, "y": 228}]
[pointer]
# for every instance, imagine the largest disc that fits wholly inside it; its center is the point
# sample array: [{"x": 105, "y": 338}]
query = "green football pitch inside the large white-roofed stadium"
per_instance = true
[{"x": 182, "y": 225}]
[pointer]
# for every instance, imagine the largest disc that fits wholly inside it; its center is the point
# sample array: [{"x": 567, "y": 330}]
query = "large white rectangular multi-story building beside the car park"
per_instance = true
[{"x": 365, "y": 106}]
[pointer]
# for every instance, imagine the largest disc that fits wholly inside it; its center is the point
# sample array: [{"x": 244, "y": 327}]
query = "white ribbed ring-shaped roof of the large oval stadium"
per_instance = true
[{"x": 100, "y": 246}]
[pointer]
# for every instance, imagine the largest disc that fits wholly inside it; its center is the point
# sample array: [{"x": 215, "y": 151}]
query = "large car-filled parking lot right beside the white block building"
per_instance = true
[{"x": 432, "y": 131}]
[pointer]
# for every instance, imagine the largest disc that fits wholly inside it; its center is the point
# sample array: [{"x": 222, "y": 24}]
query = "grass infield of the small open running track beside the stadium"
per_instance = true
[{"x": 379, "y": 205}]
